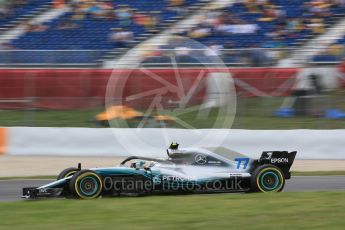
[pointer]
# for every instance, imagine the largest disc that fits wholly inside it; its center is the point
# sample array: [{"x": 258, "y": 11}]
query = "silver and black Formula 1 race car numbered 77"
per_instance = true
[{"x": 188, "y": 170}]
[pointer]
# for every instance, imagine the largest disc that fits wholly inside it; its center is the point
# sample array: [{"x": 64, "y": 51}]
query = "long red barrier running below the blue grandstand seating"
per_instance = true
[{"x": 86, "y": 88}]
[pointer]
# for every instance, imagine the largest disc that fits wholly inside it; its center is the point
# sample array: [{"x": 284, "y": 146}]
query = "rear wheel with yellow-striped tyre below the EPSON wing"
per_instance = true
[{"x": 267, "y": 178}]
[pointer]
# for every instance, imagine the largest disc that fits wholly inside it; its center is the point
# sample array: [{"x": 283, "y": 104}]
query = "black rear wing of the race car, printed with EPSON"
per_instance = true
[{"x": 281, "y": 159}]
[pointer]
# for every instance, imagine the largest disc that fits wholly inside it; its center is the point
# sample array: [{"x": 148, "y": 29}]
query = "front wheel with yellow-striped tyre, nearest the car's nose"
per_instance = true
[{"x": 86, "y": 184}]
